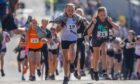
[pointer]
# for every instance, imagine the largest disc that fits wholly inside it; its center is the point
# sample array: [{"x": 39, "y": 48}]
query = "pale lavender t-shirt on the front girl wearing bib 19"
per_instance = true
[{"x": 70, "y": 26}]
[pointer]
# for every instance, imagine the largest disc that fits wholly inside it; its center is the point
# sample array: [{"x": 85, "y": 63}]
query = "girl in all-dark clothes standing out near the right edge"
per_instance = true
[{"x": 128, "y": 51}]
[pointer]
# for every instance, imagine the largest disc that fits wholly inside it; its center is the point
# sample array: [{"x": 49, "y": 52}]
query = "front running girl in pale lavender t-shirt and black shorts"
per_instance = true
[{"x": 68, "y": 23}]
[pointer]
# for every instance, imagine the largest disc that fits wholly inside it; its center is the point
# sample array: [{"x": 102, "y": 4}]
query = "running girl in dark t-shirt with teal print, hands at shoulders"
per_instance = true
[{"x": 99, "y": 29}]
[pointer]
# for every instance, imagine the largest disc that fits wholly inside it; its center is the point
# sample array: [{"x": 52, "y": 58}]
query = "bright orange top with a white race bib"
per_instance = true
[{"x": 33, "y": 41}]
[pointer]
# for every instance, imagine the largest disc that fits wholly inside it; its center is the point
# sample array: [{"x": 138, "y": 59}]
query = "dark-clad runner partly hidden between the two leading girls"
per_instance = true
[{"x": 80, "y": 53}]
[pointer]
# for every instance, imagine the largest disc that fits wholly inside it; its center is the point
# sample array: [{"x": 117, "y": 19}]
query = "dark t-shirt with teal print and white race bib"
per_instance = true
[{"x": 101, "y": 29}]
